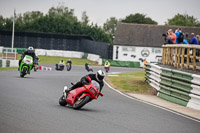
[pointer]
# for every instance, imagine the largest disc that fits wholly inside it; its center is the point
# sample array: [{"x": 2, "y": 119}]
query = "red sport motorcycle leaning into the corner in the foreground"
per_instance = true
[{"x": 78, "y": 97}]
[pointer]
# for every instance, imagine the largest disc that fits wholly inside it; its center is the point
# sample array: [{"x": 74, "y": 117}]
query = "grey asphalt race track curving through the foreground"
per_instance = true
[{"x": 30, "y": 105}]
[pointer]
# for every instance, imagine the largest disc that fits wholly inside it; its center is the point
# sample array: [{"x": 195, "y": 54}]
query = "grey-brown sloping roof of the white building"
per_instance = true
[{"x": 145, "y": 35}]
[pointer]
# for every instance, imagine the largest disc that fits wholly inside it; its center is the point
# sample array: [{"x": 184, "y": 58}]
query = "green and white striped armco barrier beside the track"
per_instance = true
[{"x": 175, "y": 86}]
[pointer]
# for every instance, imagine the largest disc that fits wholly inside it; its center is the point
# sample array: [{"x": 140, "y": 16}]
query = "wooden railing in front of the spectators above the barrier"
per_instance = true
[{"x": 181, "y": 56}]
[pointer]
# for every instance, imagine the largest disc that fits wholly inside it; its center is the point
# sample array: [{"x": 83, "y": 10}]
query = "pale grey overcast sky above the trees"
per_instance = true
[{"x": 100, "y": 10}]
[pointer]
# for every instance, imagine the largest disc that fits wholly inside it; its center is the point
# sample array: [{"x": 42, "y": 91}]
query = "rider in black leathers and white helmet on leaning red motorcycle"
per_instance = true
[{"x": 99, "y": 76}]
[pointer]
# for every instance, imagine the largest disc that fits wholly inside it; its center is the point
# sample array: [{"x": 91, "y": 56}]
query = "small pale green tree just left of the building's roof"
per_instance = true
[{"x": 110, "y": 25}]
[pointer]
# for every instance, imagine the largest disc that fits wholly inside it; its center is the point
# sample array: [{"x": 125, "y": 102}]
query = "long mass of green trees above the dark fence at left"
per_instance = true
[{"x": 59, "y": 19}]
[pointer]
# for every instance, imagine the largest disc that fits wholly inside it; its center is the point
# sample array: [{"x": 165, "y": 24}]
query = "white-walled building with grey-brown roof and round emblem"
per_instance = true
[{"x": 136, "y": 42}]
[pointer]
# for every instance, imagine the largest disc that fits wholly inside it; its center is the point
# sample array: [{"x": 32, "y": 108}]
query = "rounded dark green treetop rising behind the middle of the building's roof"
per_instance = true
[{"x": 138, "y": 19}]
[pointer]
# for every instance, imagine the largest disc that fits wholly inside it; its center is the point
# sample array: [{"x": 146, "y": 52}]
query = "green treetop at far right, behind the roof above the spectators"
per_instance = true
[{"x": 183, "y": 20}]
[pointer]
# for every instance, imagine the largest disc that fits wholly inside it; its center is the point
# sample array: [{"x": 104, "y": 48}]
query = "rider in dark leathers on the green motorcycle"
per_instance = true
[{"x": 30, "y": 52}]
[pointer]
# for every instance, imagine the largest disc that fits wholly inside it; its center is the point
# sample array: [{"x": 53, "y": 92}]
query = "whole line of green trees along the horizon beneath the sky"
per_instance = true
[{"x": 61, "y": 19}]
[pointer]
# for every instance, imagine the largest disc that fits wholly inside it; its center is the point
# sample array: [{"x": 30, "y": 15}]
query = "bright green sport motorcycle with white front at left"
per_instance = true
[{"x": 26, "y": 65}]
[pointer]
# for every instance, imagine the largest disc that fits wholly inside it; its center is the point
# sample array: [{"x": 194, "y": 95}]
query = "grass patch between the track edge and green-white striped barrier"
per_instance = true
[{"x": 130, "y": 82}]
